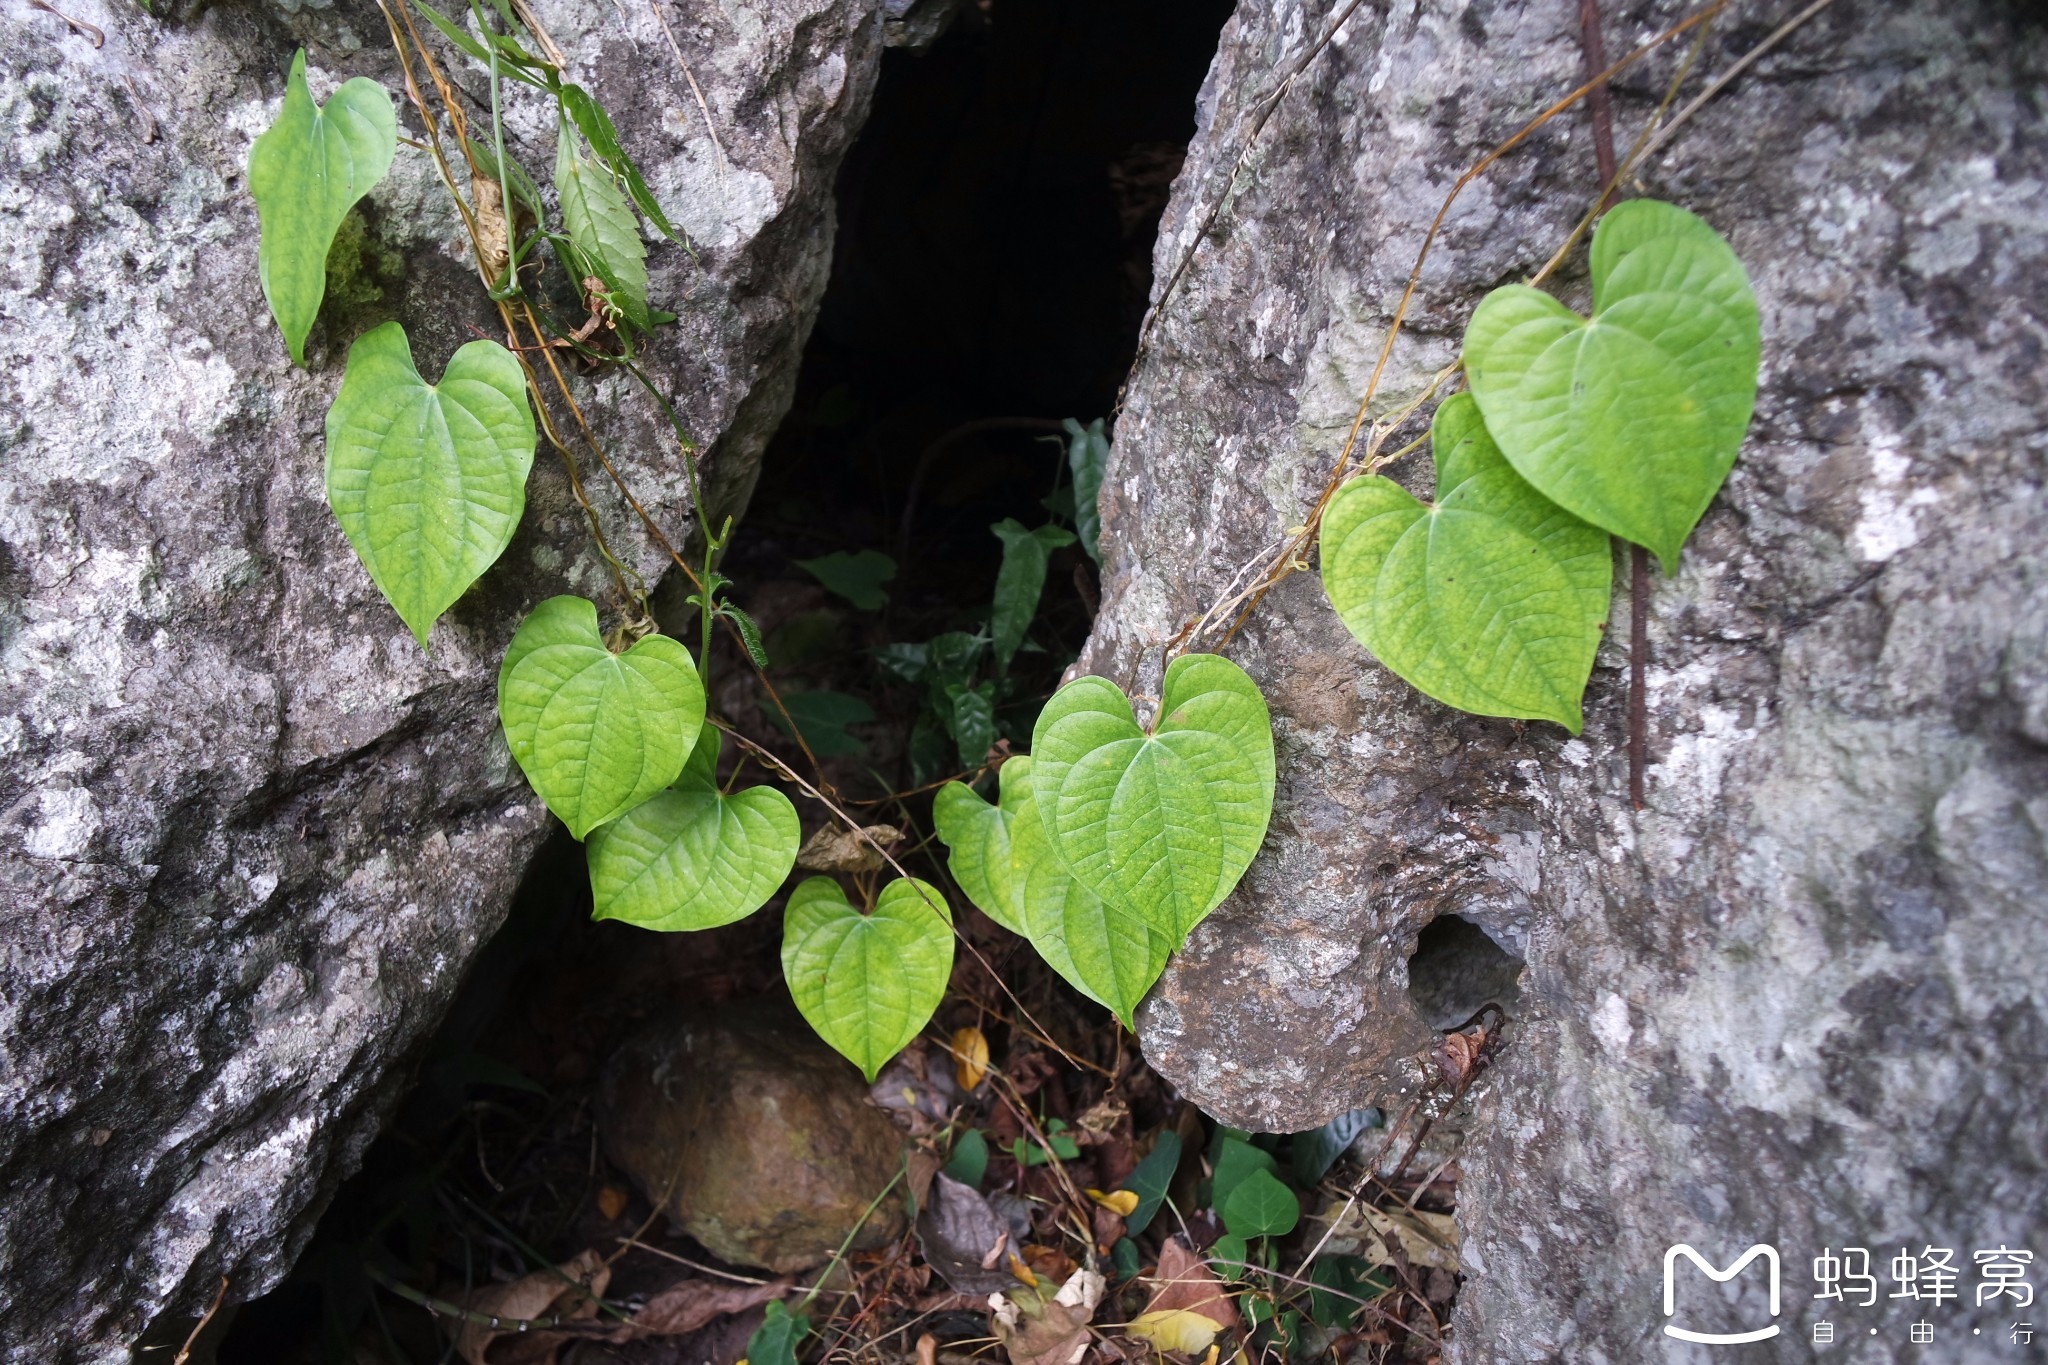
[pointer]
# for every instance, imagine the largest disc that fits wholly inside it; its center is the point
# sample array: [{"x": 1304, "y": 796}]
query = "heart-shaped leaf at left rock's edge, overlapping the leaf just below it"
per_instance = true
[{"x": 597, "y": 734}]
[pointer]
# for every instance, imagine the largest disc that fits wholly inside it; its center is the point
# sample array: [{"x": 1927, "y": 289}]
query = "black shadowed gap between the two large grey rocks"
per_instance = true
[{"x": 990, "y": 273}]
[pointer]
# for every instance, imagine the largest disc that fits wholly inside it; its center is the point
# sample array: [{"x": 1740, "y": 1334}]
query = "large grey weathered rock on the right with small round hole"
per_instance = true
[{"x": 1801, "y": 998}]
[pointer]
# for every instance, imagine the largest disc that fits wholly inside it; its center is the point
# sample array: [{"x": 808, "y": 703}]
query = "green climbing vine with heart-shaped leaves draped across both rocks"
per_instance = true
[{"x": 1129, "y": 822}]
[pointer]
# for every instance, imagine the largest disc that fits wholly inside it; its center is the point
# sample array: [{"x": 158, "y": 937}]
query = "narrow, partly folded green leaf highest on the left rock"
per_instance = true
[{"x": 306, "y": 173}]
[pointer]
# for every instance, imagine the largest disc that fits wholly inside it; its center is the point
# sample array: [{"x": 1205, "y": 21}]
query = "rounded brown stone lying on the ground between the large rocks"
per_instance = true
[{"x": 759, "y": 1137}]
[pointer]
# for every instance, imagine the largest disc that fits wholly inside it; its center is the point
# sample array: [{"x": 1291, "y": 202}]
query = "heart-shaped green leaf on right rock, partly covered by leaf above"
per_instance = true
[{"x": 1492, "y": 601}]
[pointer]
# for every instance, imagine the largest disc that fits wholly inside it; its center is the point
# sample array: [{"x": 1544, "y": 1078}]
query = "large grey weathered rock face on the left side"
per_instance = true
[{"x": 249, "y": 832}]
